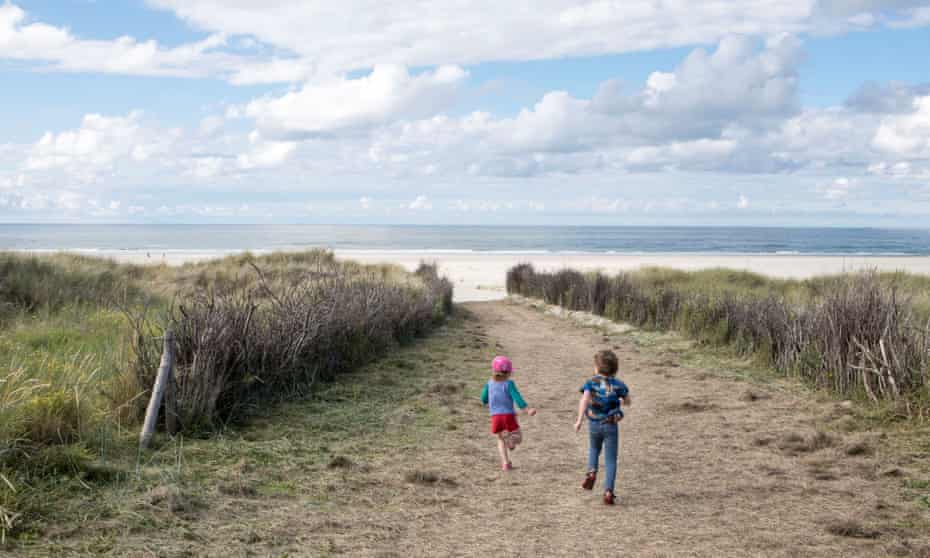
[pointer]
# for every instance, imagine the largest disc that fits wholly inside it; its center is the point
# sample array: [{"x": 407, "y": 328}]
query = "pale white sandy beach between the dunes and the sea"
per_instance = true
[{"x": 481, "y": 275}]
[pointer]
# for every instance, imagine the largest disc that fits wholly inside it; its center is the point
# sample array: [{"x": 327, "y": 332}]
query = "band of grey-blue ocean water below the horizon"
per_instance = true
[{"x": 707, "y": 240}]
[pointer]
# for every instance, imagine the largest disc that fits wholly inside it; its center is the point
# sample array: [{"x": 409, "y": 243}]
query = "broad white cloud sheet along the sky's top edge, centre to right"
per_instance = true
[{"x": 362, "y": 33}]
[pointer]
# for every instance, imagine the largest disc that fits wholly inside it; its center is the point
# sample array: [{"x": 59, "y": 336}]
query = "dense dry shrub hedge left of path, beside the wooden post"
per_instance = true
[{"x": 274, "y": 331}]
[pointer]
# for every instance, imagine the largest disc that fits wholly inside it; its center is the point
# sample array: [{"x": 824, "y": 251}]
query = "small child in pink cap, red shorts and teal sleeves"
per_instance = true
[{"x": 500, "y": 394}]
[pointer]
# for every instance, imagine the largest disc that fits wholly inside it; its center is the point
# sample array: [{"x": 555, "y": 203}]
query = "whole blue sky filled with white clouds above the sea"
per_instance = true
[{"x": 603, "y": 112}]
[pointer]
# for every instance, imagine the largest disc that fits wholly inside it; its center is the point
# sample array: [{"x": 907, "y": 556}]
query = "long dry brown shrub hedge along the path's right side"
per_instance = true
[{"x": 855, "y": 333}]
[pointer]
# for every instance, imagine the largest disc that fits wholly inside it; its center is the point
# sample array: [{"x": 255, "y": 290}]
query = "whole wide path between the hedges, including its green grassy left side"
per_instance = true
[{"x": 395, "y": 460}]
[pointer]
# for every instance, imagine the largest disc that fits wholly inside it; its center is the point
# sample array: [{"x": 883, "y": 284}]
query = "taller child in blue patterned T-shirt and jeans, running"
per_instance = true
[{"x": 601, "y": 402}]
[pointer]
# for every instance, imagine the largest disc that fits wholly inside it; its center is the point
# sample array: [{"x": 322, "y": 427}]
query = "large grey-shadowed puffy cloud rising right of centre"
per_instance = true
[{"x": 710, "y": 113}]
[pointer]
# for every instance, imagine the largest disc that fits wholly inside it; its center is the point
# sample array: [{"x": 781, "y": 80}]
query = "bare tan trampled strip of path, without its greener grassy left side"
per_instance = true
[{"x": 703, "y": 471}]
